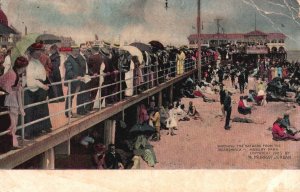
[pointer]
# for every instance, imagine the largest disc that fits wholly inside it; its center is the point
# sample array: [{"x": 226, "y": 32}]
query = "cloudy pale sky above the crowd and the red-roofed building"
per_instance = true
[{"x": 145, "y": 20}]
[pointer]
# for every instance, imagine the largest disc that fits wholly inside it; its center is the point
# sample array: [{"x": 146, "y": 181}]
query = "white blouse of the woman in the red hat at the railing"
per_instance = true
[{"x": 35, "y": 71}]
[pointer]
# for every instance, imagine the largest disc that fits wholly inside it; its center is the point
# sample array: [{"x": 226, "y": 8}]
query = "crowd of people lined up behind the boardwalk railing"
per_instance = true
[{"x": 119, "y": 72}]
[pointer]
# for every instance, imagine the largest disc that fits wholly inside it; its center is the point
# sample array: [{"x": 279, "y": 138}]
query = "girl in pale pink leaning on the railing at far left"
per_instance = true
[{"x": 11, "y": 83}]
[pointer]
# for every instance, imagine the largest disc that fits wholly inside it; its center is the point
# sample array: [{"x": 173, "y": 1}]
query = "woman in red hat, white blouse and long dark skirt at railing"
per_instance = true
[{"x": 36, "y": 92}]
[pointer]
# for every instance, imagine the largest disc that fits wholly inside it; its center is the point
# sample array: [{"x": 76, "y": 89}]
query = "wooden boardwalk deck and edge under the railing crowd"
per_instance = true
[{"x": 63, "y": 132}]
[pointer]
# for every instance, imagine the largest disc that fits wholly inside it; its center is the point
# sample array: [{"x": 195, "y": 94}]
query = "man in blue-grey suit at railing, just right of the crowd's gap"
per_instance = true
[{"x": 73, "y": 71}]
